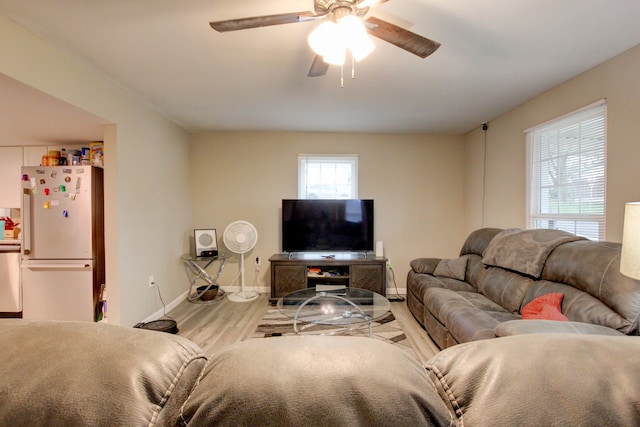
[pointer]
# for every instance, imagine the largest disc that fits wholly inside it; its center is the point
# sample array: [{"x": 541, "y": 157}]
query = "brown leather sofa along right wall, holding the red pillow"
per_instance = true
[{"x": 500, "y": 271}]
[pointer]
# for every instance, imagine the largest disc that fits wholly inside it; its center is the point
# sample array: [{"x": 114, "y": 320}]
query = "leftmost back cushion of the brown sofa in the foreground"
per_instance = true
[{"x": 91, "y": 374}]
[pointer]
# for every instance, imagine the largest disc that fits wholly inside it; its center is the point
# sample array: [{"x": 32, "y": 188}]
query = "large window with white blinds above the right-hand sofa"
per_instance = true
[{"x": 566, "y": 180}]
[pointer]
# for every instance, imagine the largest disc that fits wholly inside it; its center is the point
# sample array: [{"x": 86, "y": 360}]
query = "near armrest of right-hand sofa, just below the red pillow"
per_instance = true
[{"x": 519, "y": 327}]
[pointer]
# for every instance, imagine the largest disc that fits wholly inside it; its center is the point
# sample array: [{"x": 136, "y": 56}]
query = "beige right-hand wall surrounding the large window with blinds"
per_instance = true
[{"x": 617, "y": 81}]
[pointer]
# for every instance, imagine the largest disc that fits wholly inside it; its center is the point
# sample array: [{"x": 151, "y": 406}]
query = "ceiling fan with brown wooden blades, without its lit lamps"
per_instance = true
[{"x": 334, "y": 11}]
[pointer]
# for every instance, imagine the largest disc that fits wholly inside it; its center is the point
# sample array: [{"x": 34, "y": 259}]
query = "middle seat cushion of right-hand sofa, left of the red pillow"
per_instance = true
[{"x": 468, "y": 316}]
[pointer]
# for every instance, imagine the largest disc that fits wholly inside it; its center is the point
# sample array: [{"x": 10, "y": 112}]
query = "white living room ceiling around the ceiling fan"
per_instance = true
[{"x": 495, "y": 55}]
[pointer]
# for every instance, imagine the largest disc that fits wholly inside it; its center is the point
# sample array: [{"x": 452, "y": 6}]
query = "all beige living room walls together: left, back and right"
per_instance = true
[{"x": 428, "y": 189}]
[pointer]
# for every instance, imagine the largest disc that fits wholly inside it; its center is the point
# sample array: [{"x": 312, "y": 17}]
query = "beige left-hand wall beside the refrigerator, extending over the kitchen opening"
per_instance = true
[{"x": 146, "y": 172}]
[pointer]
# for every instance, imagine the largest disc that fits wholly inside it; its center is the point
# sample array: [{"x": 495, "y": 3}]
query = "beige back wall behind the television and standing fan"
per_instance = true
[{"x": 415, "y": 180}]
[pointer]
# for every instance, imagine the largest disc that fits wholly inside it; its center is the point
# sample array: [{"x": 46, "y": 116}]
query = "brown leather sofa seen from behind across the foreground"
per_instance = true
[{"x": 87, "y": 374}]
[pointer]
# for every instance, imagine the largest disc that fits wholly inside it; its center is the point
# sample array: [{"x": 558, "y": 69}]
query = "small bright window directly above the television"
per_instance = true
[{"x": 327, "y": 177}]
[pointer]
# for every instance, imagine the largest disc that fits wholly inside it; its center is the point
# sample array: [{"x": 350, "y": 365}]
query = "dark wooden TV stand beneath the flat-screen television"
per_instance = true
[{"x": 300, "y": 271}]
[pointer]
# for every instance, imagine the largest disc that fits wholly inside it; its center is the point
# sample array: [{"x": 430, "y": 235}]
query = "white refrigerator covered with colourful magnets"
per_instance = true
[{"x": 62, "y": 264}]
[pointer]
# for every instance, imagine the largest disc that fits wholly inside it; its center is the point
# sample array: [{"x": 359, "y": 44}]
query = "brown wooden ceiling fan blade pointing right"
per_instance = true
[{"x": 411, "y": 42}]
